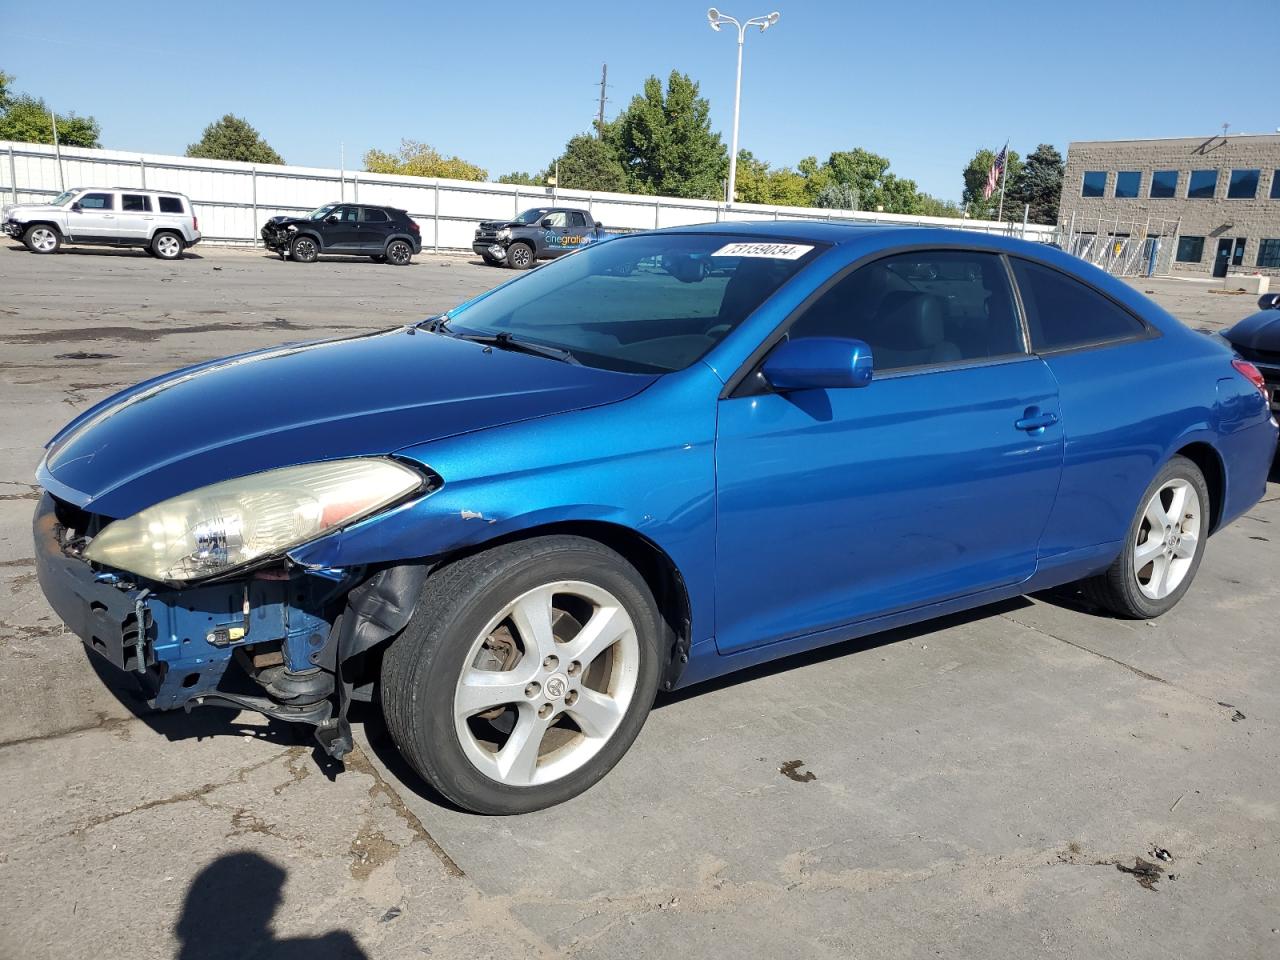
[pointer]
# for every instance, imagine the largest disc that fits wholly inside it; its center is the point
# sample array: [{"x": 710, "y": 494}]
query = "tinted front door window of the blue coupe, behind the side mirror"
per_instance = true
[{"x": 921, "y": 309}]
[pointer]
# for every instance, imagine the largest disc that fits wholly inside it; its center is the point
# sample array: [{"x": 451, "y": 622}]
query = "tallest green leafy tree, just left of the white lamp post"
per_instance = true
[{"x": 666, "y": 144}]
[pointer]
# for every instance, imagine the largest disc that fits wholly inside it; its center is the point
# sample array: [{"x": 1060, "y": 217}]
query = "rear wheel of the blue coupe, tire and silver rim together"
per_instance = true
[{"x": 1164, "y": 547}]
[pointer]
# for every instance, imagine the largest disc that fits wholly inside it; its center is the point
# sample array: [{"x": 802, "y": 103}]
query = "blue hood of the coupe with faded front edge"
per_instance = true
[{"x": 365, "y": 396}]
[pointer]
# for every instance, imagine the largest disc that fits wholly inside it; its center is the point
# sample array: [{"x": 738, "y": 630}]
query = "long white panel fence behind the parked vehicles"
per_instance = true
[{"x": 234, "y": 199}]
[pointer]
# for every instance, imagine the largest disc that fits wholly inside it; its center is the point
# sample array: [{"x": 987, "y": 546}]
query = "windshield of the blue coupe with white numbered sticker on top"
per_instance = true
[{"x": 643, "y": 304}]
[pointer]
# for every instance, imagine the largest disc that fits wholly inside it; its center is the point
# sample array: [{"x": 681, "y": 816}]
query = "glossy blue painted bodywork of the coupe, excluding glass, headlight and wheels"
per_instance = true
[{"x": 935, "y": 500}]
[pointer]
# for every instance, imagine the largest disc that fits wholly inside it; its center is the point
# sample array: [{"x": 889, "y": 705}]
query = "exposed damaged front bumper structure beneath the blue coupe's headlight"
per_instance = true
[{"x": 282, "y": 641}]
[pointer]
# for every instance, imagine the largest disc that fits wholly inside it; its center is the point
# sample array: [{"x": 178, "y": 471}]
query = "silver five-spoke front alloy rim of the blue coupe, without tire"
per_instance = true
[{"x": 547, "y": 684}]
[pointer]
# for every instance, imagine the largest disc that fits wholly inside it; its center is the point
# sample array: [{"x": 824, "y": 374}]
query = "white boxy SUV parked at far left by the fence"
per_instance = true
[{"x": 162, "y": 222}]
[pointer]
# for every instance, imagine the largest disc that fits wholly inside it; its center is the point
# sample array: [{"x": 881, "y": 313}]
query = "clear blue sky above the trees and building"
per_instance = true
[{"x": 504, "y": 85}]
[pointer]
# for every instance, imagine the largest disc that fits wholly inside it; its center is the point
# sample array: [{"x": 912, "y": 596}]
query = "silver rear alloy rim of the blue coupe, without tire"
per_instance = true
[{"x": 1168, "y": 538}]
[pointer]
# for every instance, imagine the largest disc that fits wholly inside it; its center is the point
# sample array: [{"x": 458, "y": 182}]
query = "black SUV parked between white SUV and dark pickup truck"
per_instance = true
[{"x": 383, "y": 234}]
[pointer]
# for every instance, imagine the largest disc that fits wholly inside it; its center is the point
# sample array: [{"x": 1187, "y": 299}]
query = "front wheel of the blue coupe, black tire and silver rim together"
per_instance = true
[{"x": 524, "y": 675}]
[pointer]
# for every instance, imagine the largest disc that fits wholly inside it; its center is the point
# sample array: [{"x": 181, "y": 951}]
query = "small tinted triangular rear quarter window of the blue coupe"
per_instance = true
[{"x": 1063, "y": 313}]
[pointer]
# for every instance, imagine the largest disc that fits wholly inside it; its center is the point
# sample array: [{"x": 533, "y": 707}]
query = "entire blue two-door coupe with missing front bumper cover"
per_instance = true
[{"x": 648, "y": 464}]
